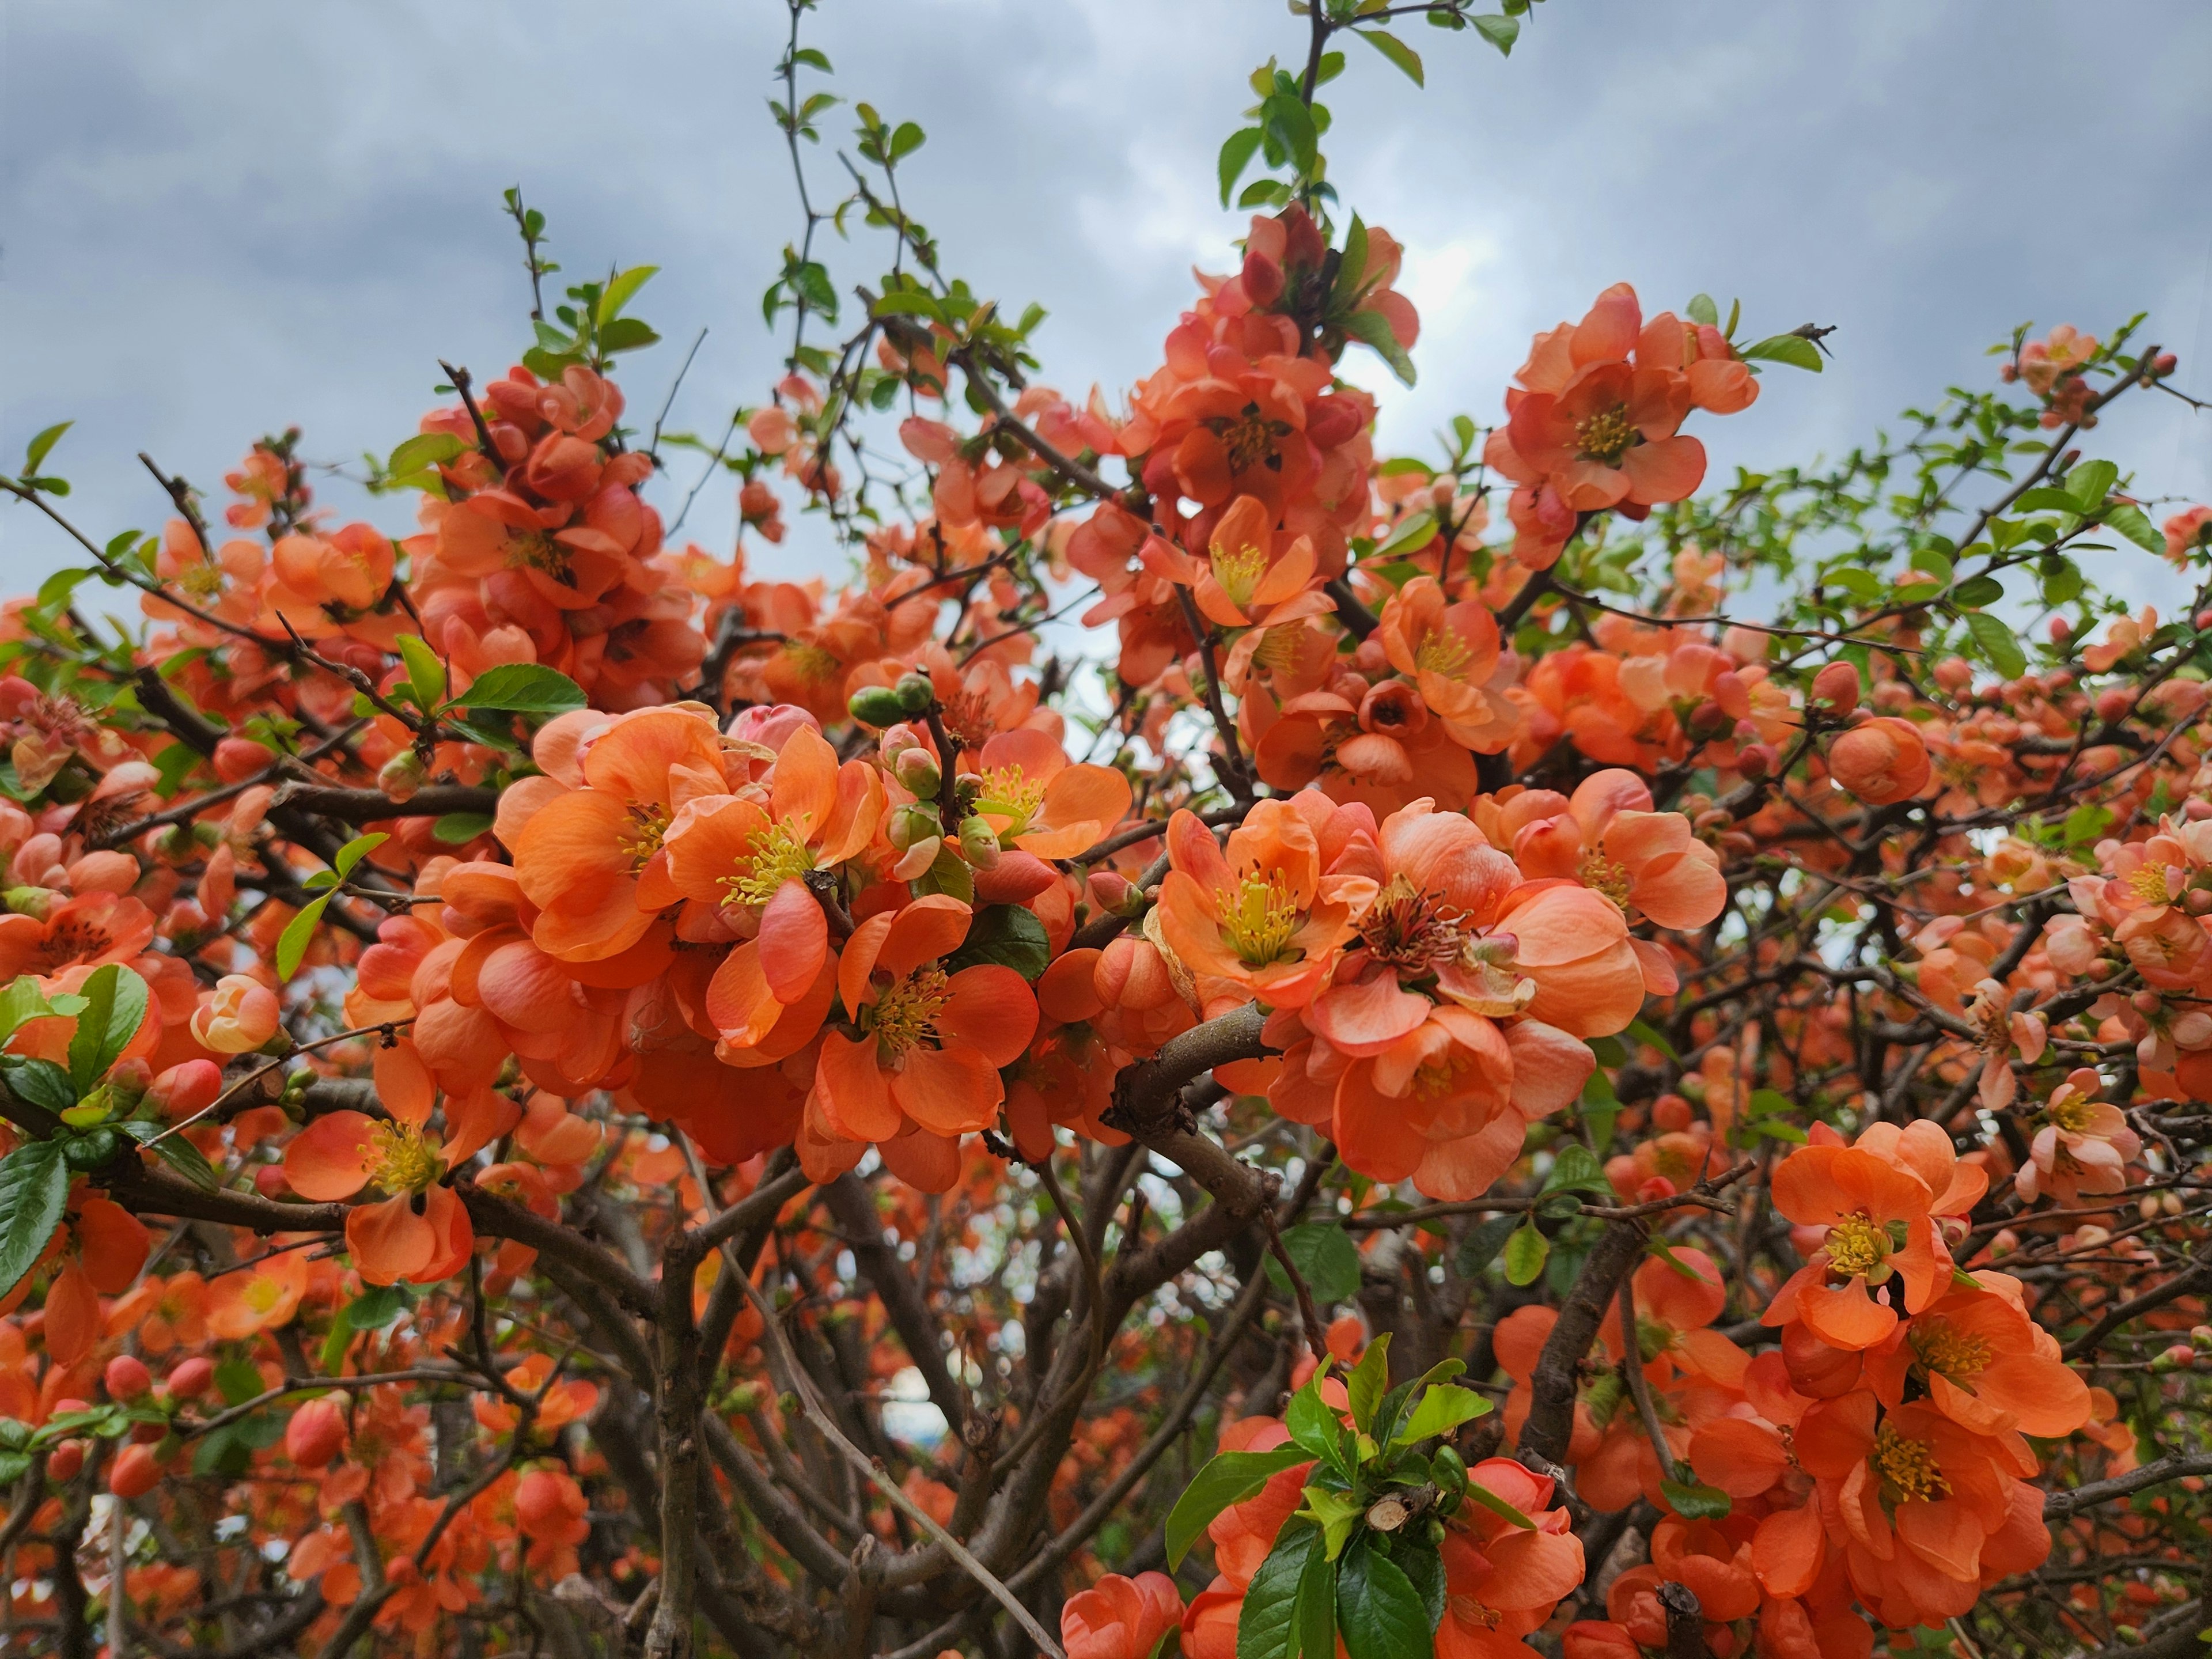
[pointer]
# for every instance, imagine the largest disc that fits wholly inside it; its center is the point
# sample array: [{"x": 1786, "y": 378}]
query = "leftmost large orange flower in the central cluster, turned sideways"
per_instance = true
[{"x": 592, "y": 859}]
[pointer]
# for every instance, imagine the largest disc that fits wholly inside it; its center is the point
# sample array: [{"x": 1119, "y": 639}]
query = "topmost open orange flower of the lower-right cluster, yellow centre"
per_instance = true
[{"x": 1879, "y": 1229}]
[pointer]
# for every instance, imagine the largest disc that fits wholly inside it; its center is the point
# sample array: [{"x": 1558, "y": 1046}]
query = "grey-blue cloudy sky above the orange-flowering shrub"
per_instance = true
[{"x": 225, "y": 218}]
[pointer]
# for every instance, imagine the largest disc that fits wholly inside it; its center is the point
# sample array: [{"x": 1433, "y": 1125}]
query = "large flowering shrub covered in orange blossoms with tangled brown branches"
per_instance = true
[{"x": 1227, "y": 1036}]
